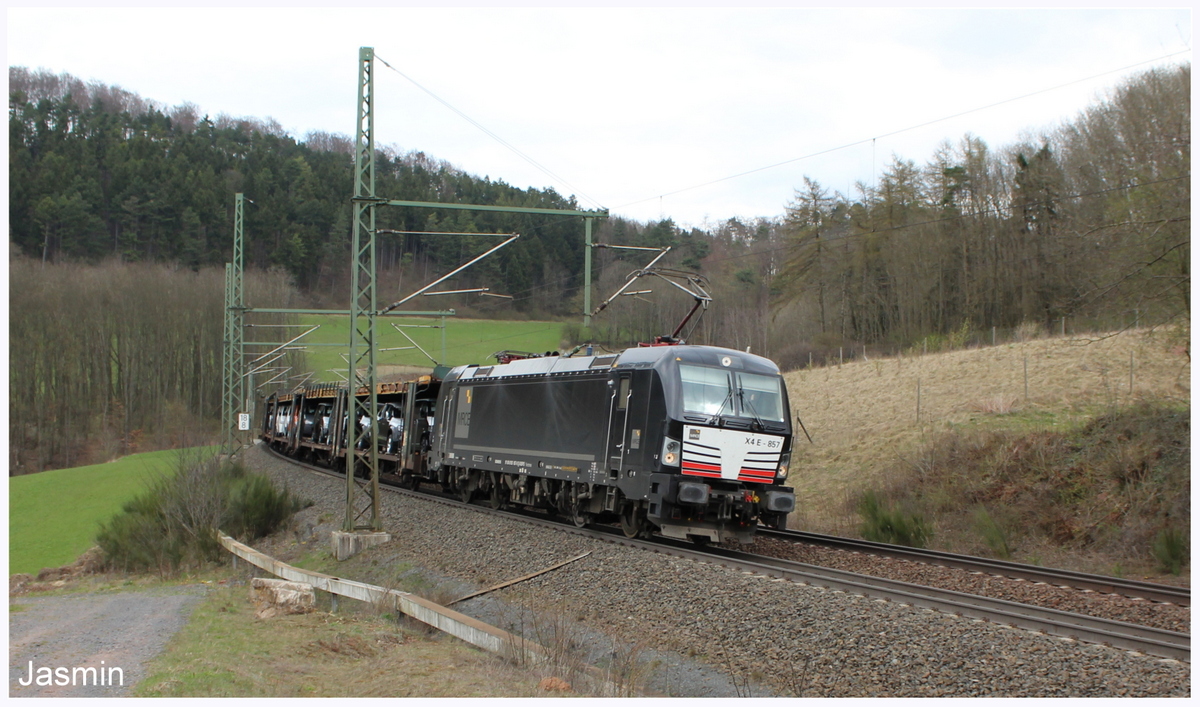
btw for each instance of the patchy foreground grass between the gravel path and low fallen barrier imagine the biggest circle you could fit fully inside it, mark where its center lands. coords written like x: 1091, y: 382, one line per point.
x: 226, y: 652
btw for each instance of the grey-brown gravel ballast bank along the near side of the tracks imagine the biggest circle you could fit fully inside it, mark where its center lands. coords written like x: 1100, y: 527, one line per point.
x: 800, y: 640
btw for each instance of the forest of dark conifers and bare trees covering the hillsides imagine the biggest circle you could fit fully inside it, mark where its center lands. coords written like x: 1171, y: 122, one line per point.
x: 1088, y: 223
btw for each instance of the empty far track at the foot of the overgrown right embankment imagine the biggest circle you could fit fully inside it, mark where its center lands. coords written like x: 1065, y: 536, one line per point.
x: 1151, y: 591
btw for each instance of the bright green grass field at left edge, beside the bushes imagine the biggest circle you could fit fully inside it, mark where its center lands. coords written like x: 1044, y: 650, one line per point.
x: 53, y: 517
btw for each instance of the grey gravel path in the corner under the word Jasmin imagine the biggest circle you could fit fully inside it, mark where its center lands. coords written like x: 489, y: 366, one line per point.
x: 123, y: 630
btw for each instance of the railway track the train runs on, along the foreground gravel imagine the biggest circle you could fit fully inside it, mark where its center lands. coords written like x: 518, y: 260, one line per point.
x: 1127, y: 637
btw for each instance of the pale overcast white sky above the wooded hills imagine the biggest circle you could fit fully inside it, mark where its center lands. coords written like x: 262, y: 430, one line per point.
x: 650, y: 113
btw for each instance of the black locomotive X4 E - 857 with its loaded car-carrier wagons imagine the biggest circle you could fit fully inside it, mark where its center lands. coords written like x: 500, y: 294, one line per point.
x: 688, y: 441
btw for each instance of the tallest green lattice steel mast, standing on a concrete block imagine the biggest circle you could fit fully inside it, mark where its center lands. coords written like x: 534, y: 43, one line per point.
x: 363, y: 499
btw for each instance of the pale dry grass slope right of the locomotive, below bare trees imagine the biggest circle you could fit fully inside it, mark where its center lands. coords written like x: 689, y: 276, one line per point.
x: 863, y: 415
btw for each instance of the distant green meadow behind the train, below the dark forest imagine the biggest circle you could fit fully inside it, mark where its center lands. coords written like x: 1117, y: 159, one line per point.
x: 467, y: 341
